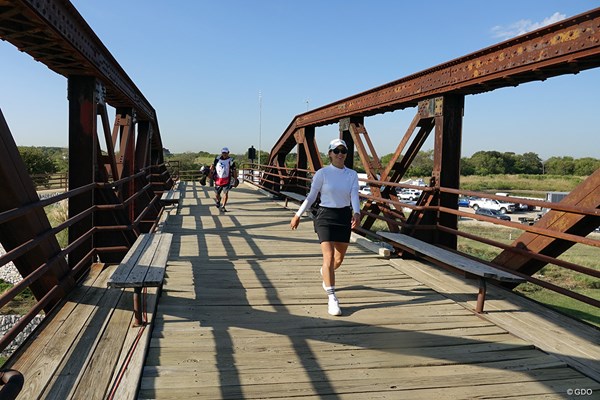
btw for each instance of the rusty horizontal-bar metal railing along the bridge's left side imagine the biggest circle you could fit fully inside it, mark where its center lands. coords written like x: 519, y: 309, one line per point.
x: 144, y: 202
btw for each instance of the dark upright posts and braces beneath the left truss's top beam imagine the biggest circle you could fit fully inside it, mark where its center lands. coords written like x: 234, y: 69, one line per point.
x: 121, y: 161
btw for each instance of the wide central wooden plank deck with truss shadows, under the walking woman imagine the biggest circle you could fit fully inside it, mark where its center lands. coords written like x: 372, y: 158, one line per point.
x: 243, y: 315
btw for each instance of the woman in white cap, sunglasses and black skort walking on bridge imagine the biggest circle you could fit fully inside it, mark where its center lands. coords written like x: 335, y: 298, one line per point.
x: 338, y: 214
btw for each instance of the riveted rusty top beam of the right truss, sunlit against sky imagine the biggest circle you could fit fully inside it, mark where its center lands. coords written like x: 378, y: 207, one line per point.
x: 567, y: 47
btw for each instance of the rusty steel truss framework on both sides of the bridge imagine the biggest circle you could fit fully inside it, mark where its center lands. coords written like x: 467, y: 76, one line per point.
x: 118, y: 173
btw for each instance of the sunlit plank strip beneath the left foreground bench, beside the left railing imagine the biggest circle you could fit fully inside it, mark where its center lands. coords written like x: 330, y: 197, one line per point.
x: 83, y: 347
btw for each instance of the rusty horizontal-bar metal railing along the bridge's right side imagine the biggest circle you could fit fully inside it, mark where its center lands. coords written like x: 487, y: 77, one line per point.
x: 397, y: 213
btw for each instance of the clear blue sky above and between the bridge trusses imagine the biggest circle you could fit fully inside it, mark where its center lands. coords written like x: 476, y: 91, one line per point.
x: 203, y: 65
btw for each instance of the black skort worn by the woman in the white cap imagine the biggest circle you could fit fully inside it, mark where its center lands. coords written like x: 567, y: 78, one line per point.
x: 333, y: 224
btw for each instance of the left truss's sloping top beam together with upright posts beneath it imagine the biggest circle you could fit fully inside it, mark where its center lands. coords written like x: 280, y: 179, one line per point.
x: 54, y: 33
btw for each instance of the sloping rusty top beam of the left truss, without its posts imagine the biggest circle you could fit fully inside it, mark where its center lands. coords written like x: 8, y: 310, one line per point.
x: 55, y: 34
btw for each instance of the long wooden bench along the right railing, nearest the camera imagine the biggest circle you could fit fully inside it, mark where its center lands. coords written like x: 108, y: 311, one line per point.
x: 457, y: 261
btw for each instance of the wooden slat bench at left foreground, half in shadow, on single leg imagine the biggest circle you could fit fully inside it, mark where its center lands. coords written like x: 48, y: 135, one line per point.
x: 143, y: 266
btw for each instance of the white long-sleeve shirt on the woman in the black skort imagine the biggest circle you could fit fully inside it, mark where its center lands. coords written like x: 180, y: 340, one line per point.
x: 338, y: 188
